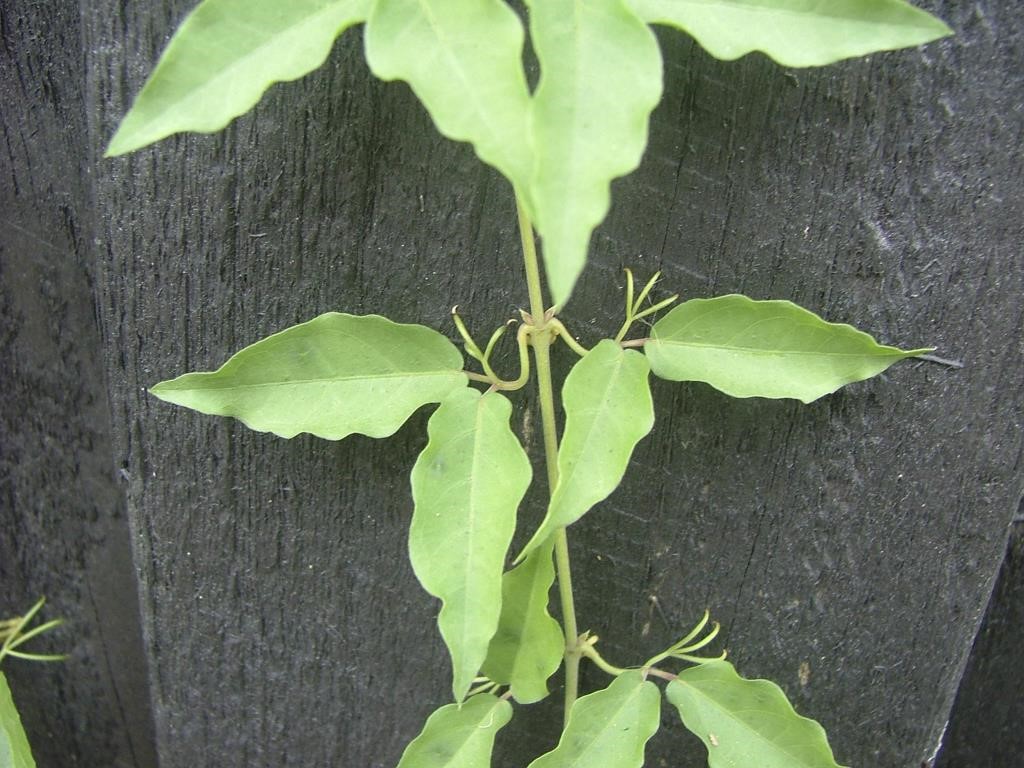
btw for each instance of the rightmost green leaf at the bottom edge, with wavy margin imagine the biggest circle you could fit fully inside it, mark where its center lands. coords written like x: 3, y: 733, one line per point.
x: 747, y: 722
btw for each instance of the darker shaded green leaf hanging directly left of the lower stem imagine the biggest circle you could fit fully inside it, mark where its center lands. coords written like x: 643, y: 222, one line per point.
x: 529, y: 646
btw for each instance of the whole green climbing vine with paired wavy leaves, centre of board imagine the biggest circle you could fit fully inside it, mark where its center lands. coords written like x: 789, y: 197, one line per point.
x: 560, y: 146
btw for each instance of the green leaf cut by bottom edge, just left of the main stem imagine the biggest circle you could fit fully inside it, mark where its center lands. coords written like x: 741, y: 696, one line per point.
x: 459, y: 736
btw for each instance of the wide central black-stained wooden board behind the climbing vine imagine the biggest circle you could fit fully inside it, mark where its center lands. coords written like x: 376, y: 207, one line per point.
x: 849, y: 547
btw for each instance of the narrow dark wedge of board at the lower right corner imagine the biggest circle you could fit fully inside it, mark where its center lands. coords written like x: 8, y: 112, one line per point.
x: 986, y: 729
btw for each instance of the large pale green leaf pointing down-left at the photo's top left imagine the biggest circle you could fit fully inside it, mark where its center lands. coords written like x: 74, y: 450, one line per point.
x: 224, y: 57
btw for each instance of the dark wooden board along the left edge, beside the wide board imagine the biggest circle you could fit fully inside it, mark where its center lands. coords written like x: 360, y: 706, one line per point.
x: 65, y: 532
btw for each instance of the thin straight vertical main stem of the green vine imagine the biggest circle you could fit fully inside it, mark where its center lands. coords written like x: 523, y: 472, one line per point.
x: 542, y: 354
